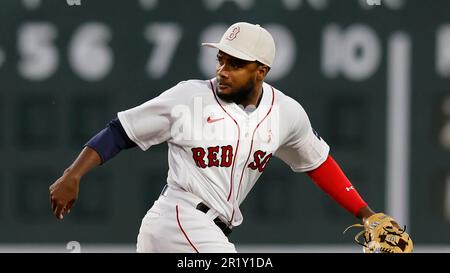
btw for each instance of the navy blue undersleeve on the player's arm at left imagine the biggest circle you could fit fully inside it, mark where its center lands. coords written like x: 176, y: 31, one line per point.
x: 110, y: 141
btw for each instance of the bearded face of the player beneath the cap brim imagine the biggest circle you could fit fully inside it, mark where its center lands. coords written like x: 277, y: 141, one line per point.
x: 237, y: 78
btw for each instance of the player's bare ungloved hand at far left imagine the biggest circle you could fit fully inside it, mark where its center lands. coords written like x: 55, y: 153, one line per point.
x: 63, y: 194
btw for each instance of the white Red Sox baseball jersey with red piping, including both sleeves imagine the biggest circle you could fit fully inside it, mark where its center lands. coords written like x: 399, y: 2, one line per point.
x: 217, y: 151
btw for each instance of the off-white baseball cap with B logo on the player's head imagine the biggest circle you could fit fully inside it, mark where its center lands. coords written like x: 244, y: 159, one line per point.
x: 247, y: 42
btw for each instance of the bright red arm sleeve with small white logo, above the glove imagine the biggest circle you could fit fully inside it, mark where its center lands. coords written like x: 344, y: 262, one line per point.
x: 332, y: 180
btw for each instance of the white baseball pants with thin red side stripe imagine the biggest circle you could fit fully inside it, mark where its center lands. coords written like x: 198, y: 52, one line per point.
x: 173, y: 224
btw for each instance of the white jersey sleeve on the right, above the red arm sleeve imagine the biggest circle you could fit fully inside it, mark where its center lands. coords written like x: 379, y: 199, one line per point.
x: 303, y: 149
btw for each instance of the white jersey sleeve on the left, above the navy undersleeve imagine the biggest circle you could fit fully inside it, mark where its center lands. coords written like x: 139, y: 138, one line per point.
x: 150, y: 123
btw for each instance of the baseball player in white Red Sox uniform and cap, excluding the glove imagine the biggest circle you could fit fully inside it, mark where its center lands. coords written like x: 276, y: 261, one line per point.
x: 221, y: 135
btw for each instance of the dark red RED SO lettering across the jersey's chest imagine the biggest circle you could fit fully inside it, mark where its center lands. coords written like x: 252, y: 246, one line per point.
x: 209, y: 157
